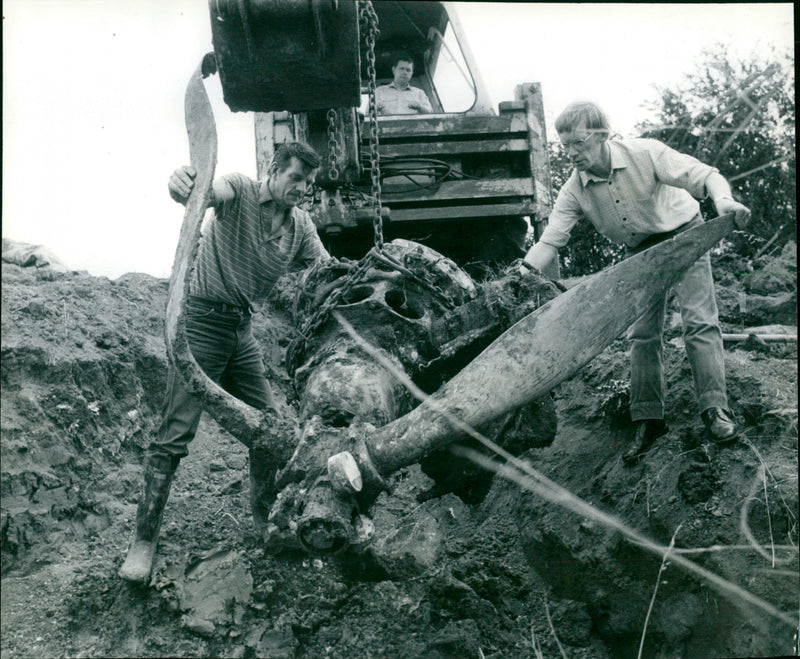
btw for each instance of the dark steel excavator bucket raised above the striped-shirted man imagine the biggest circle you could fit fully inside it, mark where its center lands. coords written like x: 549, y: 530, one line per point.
x: 295, y: 55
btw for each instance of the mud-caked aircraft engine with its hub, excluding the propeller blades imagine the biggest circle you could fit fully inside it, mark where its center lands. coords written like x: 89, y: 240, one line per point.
x: 428, y: 320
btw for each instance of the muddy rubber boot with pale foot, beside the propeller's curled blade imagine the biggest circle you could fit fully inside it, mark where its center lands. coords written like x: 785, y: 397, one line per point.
x: 138, y: 565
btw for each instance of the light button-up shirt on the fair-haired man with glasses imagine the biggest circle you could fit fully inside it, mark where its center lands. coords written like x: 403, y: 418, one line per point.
x: 652, y: 188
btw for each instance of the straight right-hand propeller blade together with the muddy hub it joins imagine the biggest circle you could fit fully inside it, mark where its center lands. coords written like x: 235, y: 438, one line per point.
x: 525, y: 362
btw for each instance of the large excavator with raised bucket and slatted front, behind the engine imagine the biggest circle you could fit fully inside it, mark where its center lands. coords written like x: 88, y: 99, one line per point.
x: 470, y: 182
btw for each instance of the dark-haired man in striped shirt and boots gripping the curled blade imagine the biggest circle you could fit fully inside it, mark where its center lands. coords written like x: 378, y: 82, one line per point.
x: 256, y: 234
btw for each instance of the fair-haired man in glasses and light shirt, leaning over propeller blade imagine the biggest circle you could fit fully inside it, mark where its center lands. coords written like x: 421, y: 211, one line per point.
x: 640, y: 192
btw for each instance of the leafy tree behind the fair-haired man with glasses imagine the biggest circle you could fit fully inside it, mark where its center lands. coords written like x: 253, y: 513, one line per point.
x: 738, y: 116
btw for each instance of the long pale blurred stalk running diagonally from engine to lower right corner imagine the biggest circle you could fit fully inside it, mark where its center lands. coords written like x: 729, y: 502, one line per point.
x: 523, y: 474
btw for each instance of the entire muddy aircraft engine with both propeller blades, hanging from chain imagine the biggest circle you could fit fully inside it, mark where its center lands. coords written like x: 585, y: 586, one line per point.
x: 429, y: 319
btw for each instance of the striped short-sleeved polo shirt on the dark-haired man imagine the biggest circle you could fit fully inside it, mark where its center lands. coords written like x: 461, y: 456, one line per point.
x: 238, y: 261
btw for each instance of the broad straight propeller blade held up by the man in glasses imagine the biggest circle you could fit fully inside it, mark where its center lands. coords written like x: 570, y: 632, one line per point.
x: 546, y: 347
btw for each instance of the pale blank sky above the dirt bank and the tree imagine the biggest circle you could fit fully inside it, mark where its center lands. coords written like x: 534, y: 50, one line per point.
x: 93, y: 100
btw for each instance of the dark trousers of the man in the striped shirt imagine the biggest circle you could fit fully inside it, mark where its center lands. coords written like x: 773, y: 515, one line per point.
x: 223, y: 345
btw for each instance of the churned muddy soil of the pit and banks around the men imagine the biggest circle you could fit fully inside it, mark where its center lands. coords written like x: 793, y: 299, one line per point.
x: 508, y: 575
